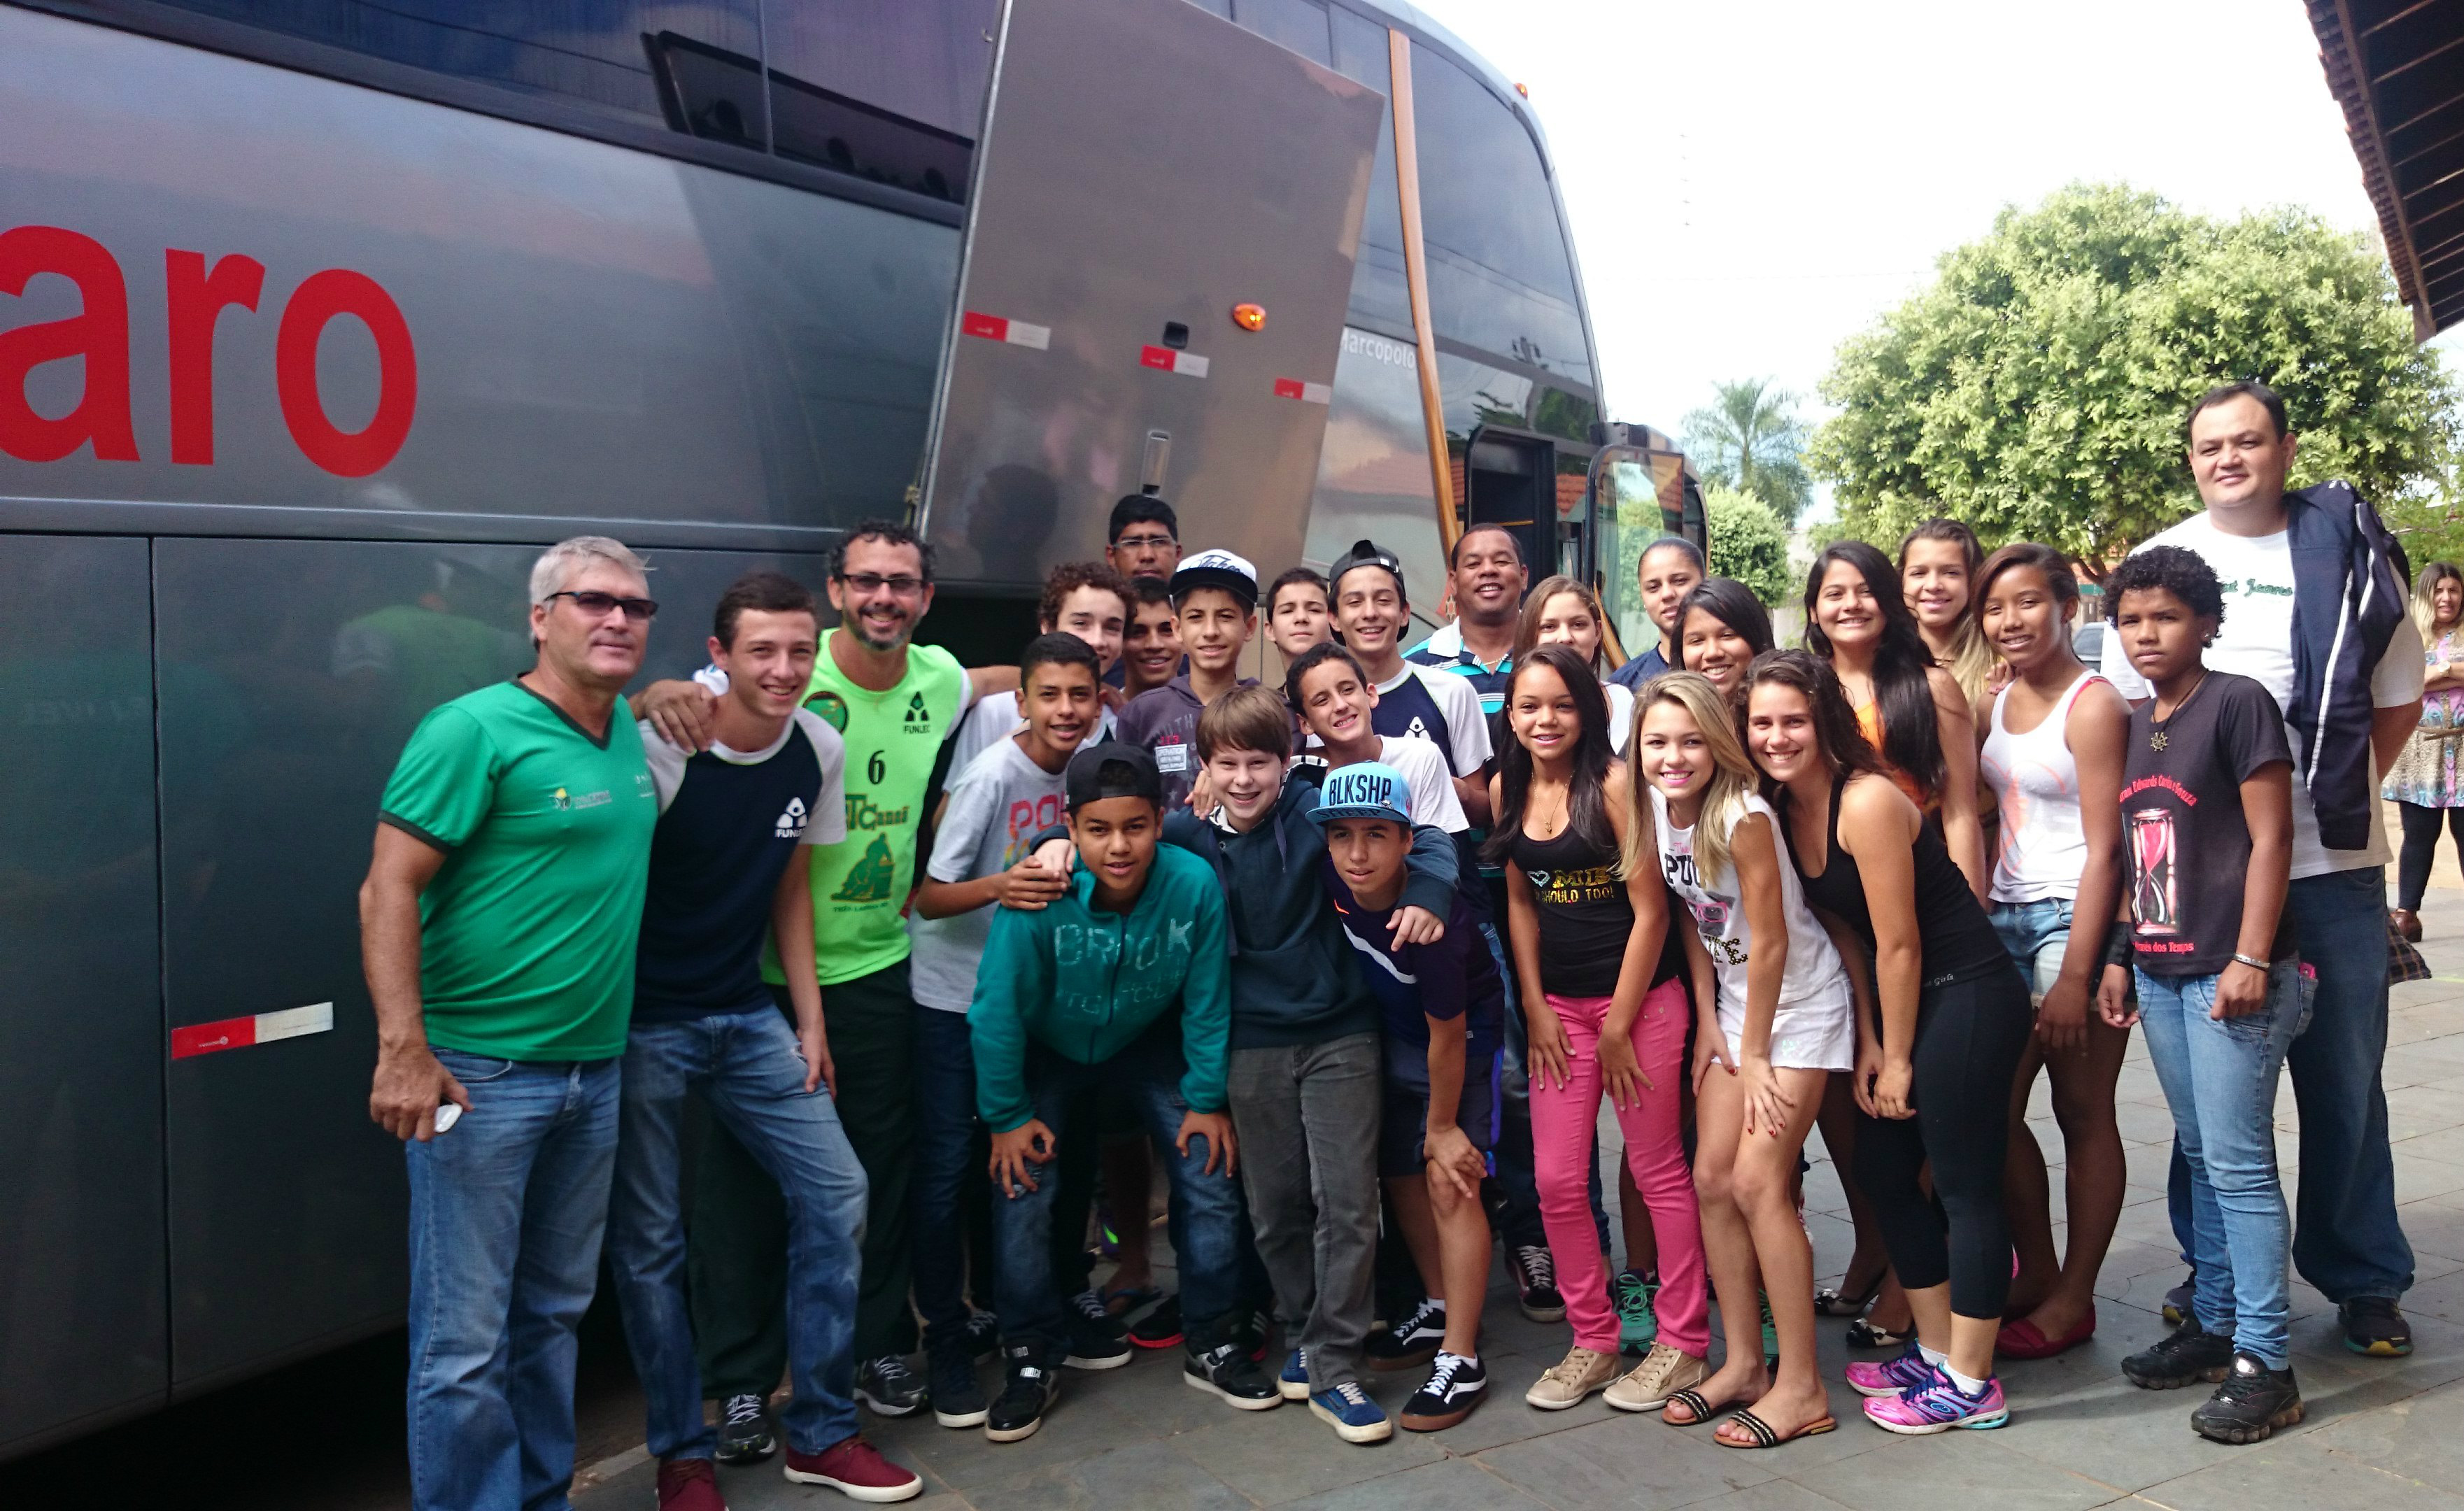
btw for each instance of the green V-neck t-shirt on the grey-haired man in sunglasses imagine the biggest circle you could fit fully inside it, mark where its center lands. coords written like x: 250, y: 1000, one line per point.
x: 526, y: 935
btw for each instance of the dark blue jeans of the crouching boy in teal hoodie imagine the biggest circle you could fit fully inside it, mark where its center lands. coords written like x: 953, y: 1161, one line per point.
x: 1206, y: 1216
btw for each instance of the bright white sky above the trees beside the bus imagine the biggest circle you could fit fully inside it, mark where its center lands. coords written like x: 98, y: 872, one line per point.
x: 1753, y: 184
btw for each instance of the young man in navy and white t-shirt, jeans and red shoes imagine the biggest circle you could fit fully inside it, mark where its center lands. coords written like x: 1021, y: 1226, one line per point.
x: 731, y: 869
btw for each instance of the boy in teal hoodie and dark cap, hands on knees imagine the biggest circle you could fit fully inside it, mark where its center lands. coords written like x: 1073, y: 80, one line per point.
x: 1125, y: 985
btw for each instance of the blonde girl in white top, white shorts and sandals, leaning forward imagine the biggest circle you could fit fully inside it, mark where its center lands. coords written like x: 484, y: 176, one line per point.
x: 1763, y: 1054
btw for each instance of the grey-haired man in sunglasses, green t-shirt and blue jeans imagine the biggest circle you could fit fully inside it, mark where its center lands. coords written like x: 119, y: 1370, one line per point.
x: 499, y: 926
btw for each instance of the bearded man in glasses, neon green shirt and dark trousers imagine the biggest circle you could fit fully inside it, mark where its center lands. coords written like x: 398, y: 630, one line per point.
x: 893, y: 704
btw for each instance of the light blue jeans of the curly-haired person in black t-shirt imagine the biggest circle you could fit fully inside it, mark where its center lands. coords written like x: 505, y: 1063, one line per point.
x: 2221, y: 1081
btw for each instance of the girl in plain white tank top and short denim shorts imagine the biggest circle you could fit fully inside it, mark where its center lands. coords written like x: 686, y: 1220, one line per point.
x: 2054, y: 758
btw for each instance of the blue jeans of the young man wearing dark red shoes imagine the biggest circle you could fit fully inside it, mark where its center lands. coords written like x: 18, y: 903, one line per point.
x: 750, y: 1071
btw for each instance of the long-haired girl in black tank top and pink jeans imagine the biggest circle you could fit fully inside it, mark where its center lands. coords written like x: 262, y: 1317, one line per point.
x: 1588, y: 940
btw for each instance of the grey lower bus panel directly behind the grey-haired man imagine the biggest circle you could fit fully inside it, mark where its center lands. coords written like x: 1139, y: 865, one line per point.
x: 292, y: 674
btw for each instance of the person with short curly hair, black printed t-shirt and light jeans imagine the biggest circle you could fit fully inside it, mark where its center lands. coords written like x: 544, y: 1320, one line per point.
x: 2207, y: 812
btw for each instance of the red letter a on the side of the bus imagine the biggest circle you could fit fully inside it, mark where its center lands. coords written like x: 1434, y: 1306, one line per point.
x: 97, y: 334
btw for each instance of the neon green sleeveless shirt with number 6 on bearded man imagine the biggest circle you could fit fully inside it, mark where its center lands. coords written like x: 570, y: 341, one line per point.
x: 893, y: 741
